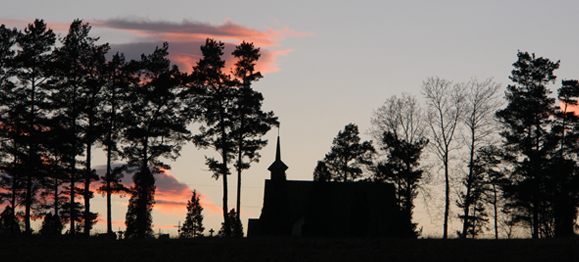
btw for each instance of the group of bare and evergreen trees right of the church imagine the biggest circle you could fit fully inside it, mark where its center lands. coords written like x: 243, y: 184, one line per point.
x: 516, y: 161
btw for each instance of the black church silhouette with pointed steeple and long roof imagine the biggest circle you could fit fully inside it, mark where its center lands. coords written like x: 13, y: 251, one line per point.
x: 326, y: 209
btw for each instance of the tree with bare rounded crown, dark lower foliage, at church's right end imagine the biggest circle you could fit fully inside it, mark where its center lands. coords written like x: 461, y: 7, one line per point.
x: 399, y: 127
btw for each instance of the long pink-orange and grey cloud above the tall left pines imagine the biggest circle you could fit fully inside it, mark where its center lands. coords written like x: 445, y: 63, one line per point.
x: 186, y: 38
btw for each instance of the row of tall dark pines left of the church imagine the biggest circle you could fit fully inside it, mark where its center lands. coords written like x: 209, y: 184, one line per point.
x: 59, y: 101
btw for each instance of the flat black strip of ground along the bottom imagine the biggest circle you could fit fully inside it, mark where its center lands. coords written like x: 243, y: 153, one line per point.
x: 287, y: 249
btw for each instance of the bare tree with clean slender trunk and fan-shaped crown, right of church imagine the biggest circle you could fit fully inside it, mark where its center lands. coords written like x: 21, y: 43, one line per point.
x: 445, y: 111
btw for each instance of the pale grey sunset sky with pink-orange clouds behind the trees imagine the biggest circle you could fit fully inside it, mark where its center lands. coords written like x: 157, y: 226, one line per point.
x: 325, y: 64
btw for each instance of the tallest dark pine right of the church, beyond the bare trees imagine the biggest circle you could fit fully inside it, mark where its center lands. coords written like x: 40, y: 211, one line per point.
x: 526, y: 122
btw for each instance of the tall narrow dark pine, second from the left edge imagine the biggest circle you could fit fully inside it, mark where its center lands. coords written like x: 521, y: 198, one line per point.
x: 33, y: 70
